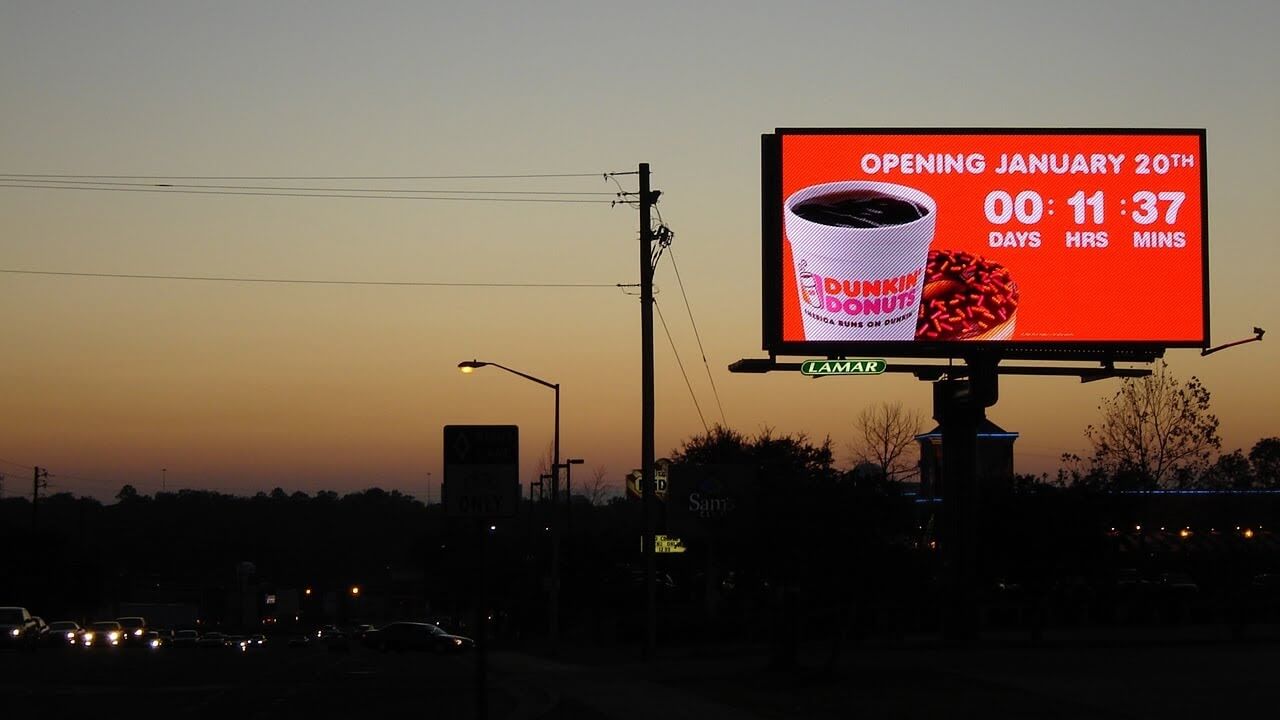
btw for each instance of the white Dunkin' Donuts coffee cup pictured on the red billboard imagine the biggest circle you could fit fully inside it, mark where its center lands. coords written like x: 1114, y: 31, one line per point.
x: 860, y: 284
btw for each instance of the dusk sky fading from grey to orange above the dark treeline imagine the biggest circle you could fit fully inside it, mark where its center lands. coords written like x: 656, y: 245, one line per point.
x: 246, y: 388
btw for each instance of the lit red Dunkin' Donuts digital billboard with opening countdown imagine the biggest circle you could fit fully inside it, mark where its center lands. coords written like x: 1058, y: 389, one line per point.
x: 915, y: 243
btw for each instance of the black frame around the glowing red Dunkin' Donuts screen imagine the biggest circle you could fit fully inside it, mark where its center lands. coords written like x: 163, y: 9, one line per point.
x: 772, y: 252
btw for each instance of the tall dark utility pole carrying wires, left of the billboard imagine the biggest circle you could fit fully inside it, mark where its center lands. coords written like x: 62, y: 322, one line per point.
x: 647, y: 482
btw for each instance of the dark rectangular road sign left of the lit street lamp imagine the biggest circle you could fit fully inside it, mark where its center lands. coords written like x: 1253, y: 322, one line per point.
x: 482, y: 471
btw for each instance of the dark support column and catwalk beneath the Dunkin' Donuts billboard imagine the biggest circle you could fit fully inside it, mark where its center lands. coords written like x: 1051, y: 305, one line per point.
x: 962, y: 395
